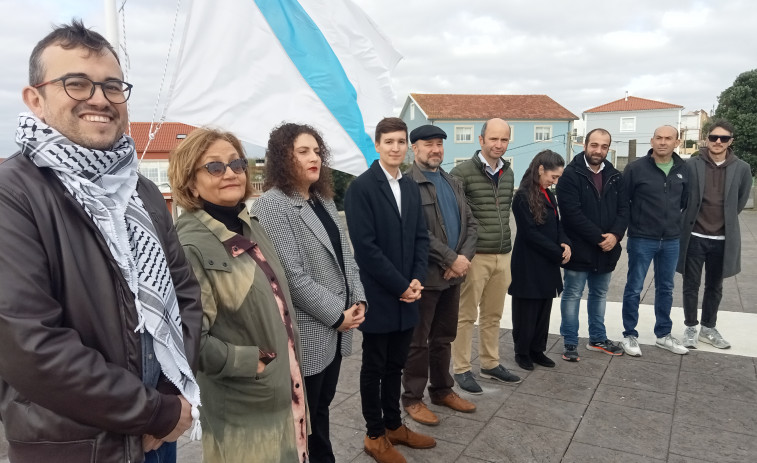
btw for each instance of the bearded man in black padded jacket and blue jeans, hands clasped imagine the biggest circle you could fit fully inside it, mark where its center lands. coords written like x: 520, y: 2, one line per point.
x: 594, y: 213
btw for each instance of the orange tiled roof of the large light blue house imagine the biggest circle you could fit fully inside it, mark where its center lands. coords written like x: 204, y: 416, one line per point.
x: 479, y: 107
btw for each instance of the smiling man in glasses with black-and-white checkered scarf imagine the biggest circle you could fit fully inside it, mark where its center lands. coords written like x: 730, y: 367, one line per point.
x: 100, y: 312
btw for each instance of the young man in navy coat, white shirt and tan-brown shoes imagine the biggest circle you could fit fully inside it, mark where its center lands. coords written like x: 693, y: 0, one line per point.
x: 389, y: 236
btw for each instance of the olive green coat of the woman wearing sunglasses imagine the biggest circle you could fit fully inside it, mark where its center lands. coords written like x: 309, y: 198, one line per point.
x: 245, y: 416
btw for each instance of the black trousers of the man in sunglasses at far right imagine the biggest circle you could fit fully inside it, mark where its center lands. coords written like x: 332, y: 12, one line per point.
x: 705, y: 253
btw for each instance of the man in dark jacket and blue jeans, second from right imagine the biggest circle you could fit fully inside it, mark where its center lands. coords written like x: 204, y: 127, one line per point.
x: 657, y: 191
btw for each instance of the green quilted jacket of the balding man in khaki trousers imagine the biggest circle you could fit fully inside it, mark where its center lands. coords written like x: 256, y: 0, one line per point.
x: 489, y: 202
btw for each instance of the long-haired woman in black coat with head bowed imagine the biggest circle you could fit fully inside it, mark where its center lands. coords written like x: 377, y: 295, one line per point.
x: 541, y: 246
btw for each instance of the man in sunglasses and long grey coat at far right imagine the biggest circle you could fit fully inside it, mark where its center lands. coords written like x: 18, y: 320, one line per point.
x: 719, y: 185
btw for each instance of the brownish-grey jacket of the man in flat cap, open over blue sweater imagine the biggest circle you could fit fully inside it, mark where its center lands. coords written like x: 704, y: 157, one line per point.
x: 440, y: 255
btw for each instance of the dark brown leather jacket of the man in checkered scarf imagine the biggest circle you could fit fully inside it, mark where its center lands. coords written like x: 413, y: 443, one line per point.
x: 70, y: 360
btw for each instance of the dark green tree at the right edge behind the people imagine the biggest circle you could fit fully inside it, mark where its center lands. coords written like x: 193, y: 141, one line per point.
x: 738, y: 105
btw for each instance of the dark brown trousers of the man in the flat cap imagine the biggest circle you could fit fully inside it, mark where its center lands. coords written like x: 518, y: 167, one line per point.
x: 430, y: 348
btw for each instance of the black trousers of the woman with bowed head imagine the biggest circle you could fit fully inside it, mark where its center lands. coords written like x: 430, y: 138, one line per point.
x: 530, y: 324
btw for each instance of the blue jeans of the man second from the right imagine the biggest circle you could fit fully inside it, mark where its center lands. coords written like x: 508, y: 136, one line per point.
x: 641, y: 253
